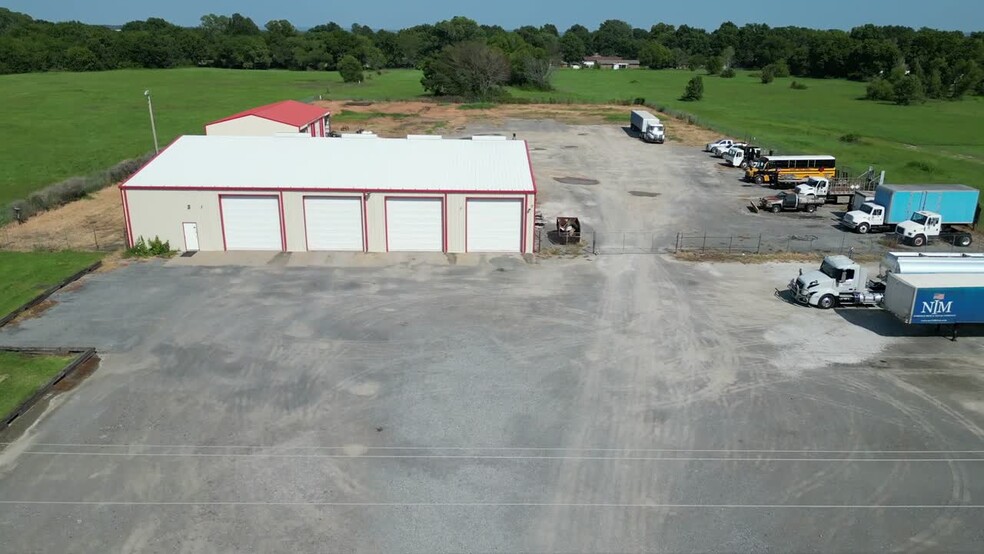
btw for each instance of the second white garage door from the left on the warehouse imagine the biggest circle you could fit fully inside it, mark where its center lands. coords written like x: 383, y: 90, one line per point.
x: 333, y: 223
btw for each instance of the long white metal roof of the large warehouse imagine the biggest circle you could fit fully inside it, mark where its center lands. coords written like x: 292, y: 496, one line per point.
x: 244, y: 163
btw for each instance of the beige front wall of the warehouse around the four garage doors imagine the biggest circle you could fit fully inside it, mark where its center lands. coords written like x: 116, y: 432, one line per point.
x: 162, y: 212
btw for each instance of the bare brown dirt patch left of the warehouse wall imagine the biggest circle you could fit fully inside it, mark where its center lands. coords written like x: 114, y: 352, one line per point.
x: 94, y: 223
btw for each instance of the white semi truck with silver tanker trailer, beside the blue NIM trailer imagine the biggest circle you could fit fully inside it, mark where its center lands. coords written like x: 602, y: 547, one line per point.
x: 840, y: 281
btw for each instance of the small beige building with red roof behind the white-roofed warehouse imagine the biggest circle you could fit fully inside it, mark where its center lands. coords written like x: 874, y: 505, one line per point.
x: 288, y: 116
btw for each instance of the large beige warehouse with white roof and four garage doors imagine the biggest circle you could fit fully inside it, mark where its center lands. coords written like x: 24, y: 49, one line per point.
x: 369, y: 195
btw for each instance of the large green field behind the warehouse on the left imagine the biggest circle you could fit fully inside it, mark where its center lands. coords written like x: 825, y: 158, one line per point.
x: 57, y: 125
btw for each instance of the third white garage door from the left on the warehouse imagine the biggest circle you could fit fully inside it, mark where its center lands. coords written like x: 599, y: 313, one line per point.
x: 414, y: 224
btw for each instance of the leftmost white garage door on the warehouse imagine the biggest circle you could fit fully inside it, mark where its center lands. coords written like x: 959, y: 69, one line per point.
x: 251, y: 222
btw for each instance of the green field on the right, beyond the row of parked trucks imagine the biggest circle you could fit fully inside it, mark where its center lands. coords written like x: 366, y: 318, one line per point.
x: 933, y: 142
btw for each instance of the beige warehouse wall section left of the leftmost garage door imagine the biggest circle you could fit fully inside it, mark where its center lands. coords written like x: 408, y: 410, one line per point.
x: 161, y: 213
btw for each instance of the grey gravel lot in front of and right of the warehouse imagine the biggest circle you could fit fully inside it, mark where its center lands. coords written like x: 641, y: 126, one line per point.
x: 608, y: 403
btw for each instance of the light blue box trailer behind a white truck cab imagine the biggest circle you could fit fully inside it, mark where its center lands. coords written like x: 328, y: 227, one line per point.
x: 956, y: 203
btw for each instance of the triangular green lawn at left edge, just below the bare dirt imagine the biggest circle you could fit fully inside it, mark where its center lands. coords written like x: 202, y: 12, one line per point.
x: 24, y: 275
